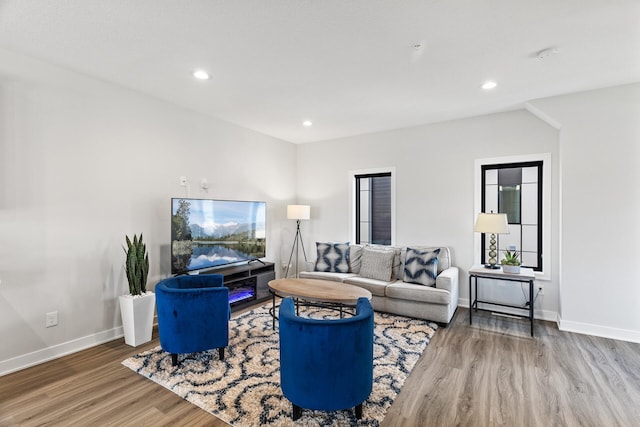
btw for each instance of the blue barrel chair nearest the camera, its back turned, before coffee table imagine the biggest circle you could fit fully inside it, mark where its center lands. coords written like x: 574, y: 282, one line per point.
x: 326, y: 364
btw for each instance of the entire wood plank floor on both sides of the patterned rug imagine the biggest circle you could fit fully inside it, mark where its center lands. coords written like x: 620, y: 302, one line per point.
x: 490, y: 373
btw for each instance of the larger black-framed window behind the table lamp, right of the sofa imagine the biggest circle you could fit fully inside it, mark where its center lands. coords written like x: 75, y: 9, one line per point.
x: 515, y: 189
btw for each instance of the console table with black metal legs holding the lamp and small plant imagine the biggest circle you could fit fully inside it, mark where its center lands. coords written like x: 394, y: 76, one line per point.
x: 526, y: 275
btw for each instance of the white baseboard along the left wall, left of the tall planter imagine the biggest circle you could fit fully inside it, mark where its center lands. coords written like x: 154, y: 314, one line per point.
x: 46, y: 354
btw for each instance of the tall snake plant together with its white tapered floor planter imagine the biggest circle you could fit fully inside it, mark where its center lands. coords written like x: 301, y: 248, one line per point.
x: 137, y: 307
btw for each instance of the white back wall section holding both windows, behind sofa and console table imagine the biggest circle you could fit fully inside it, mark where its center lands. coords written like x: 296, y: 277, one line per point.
x: 434, y: 182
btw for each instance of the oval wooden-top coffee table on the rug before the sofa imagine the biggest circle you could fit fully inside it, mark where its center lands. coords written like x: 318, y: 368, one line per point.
x: 324, y: 293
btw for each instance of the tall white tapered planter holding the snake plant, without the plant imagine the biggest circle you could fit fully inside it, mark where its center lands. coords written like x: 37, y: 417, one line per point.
x: 137, y: 317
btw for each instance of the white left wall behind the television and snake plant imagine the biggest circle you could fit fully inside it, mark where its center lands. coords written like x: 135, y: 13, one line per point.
x: 82, y: 163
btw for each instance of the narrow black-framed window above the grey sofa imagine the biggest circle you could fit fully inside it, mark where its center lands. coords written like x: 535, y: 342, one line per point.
x: 373, y: 208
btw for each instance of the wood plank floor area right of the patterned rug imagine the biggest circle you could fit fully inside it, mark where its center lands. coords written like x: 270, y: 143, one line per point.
x: 493, y: 373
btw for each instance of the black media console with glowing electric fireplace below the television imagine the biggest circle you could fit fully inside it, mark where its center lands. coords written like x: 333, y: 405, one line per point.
x: 247, y: 283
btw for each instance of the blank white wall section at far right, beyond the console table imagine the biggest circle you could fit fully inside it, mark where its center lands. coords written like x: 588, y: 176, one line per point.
x: 600, y: 218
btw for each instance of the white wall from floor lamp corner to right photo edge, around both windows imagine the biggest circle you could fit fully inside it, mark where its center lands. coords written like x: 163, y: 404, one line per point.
x: 595, y: 284
